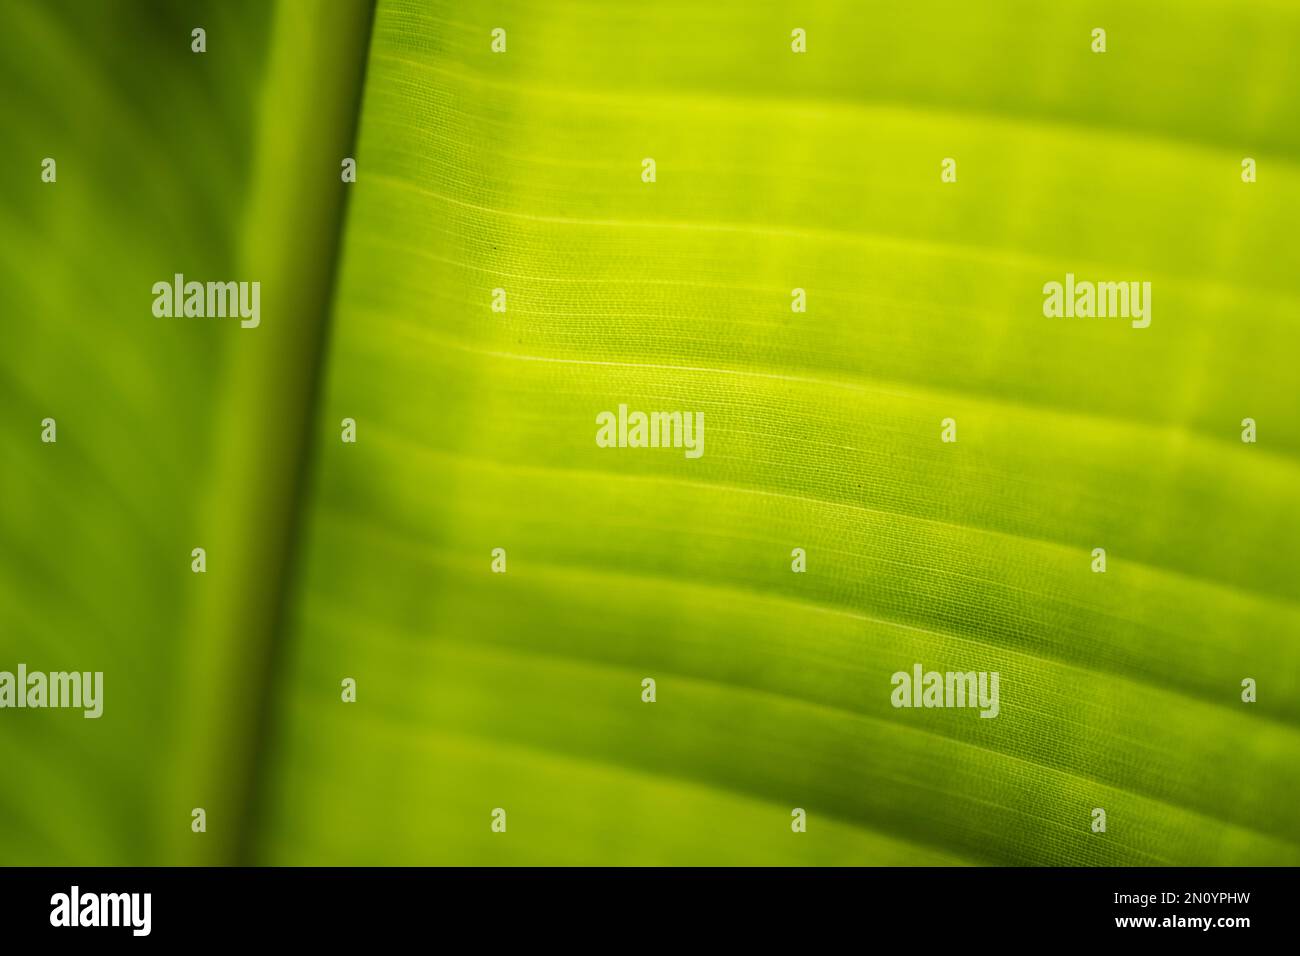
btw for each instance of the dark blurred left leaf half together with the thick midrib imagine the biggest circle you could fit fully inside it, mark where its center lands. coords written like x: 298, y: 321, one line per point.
x: 172, y: 434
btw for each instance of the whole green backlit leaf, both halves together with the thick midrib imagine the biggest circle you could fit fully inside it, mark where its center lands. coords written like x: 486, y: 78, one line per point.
x: 522, y: 171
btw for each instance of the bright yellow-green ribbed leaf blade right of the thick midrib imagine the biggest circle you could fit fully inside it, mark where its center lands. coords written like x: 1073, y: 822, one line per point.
x: 522, y: 691
